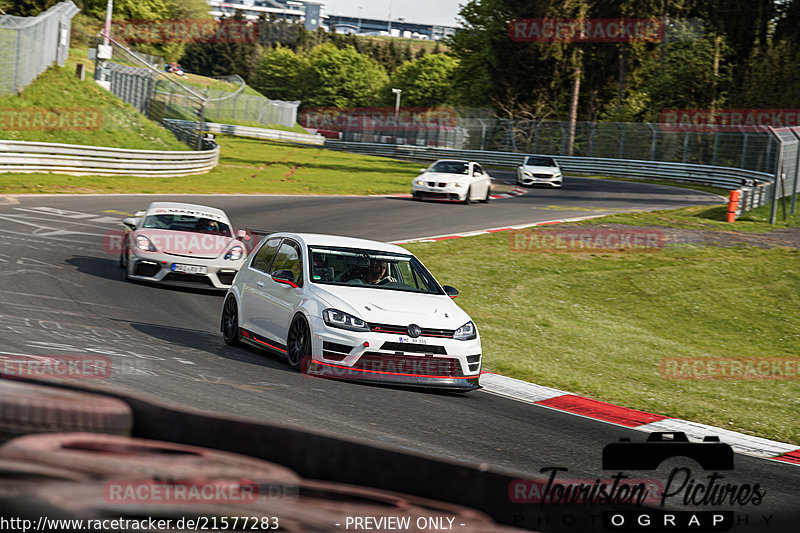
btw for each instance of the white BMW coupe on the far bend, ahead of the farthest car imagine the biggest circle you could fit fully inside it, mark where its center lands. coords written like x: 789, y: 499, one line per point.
x: 452, y: 181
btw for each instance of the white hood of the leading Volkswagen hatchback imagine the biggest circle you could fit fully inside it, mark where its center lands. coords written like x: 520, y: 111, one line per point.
x: 384, y: 306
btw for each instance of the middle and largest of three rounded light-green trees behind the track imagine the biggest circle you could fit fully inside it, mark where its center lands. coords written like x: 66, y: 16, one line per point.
x: 343, y: 78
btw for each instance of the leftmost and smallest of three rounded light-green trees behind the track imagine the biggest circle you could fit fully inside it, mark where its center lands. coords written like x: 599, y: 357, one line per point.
x: 281, y: 74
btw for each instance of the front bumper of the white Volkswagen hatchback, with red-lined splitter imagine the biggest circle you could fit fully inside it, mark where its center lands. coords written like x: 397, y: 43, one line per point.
x: 390, y: 358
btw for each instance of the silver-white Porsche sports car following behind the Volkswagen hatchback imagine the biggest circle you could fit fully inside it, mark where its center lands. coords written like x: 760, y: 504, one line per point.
x: 183, y: 244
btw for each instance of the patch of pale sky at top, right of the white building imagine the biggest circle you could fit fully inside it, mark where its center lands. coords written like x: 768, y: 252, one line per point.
x: 423, y: 11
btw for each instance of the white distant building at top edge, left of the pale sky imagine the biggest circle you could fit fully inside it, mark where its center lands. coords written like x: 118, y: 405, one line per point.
x: 308, y: 12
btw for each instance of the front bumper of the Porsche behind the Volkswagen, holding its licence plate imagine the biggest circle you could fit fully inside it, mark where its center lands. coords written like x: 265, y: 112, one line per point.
x: 159, y: 267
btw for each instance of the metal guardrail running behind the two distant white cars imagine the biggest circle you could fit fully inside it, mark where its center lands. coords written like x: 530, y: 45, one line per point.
x: 756, y: 187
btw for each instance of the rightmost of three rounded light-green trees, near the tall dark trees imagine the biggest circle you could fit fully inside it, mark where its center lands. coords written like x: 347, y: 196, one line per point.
x: 426, y: 82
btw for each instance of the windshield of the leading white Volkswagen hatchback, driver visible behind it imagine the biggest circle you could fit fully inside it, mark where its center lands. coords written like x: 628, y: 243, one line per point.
x: 356, y: 267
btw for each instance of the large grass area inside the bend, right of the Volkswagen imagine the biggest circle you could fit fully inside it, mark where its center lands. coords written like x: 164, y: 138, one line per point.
x: 599, y: 324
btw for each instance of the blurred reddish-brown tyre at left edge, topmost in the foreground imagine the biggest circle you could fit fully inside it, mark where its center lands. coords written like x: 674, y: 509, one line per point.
x: 27, y: 408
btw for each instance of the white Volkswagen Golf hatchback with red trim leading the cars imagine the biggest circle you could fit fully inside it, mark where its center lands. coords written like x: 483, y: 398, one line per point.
x: 354, y: 309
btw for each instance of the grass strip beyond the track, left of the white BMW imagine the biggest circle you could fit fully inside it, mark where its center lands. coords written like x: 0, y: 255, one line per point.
x: 246, y: 166
